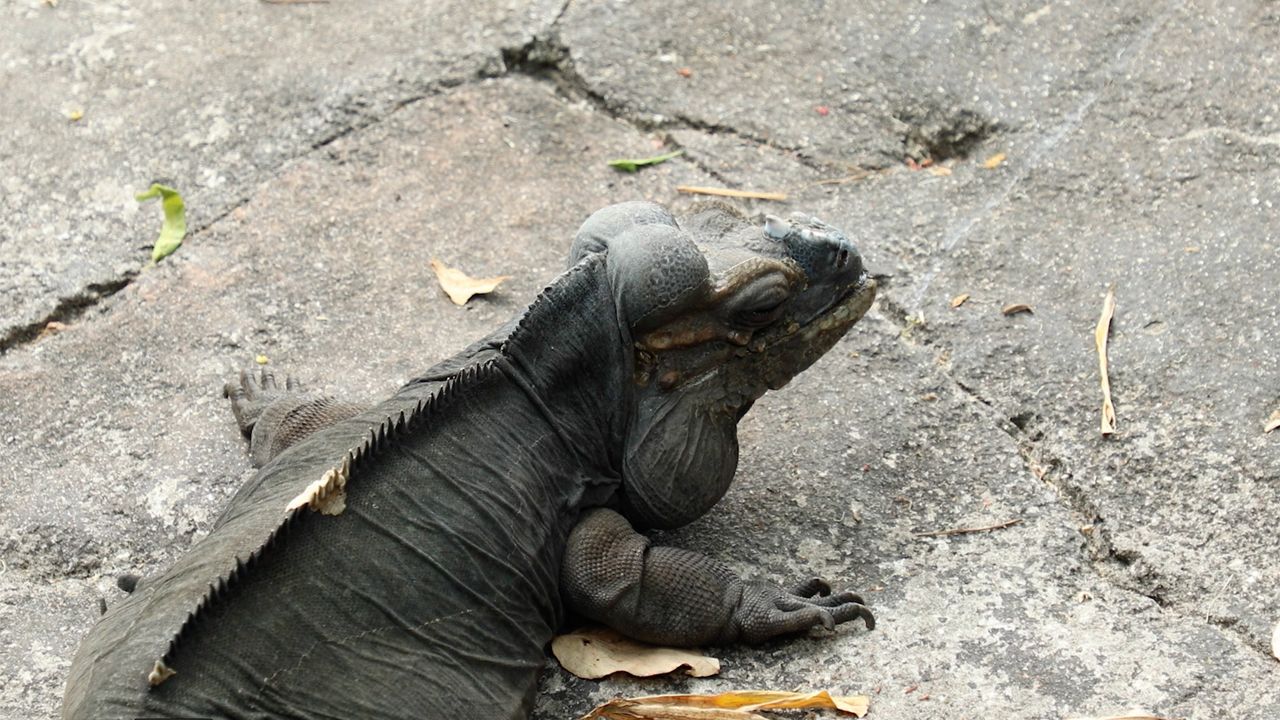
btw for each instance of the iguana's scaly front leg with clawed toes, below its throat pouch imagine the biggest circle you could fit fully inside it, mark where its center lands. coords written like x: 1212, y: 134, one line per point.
x: 676, y: 598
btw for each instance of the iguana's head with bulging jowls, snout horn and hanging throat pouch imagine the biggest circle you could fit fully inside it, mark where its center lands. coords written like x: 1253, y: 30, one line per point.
x: 720, y: 311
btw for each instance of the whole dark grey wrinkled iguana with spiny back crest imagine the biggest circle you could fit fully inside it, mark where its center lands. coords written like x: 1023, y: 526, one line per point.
x: 414, y: 559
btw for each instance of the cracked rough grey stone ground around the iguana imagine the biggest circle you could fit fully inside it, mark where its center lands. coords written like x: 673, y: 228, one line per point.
x: 328, y: 151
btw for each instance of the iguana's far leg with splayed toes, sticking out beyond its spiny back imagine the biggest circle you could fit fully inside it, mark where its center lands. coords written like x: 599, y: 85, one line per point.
x: 276, y: 418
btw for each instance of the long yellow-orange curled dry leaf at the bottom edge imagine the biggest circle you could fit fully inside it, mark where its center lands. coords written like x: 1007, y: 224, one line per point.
x: 725, y: 707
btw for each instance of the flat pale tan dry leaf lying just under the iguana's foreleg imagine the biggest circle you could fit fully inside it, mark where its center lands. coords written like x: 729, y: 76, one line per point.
x: 596, y: 653
